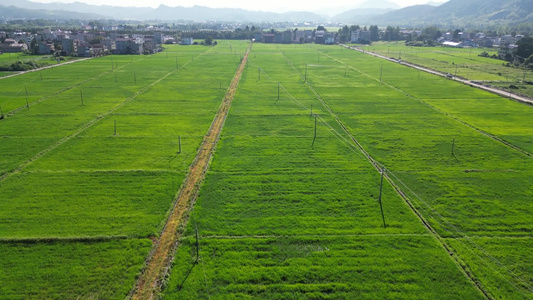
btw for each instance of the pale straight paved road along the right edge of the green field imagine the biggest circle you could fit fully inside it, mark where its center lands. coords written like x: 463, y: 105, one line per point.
x: 467, y: 82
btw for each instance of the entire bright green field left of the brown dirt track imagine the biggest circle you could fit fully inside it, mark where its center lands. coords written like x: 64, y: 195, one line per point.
x: 91, y: 163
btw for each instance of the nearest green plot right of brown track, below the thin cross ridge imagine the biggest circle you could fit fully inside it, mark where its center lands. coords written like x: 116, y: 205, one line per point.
x: 341, y: 267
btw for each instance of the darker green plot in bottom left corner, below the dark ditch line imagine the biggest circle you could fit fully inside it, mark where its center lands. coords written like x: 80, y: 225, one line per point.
x: 70, y: 270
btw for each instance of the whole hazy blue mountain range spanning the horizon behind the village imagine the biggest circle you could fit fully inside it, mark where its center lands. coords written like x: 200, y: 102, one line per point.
x: 454, y: 13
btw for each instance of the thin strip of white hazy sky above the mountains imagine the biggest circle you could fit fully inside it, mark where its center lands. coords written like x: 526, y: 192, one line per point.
x: 271, y: 5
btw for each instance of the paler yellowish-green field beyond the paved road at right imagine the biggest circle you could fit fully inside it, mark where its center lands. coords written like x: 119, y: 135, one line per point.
x: 463, y: 62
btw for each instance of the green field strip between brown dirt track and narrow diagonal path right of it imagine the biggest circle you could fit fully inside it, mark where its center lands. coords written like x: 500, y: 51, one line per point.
x: 278, y: 218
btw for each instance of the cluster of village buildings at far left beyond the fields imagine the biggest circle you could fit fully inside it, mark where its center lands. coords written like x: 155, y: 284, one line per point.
x: 81, y: 43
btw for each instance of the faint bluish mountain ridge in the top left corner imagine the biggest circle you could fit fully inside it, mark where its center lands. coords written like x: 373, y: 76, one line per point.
x: 10, y: 12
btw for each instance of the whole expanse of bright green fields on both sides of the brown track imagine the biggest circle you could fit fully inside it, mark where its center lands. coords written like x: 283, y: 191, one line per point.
x: 290, y: 205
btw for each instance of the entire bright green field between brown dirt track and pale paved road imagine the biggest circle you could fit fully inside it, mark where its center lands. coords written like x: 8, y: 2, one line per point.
x: 281, y: 217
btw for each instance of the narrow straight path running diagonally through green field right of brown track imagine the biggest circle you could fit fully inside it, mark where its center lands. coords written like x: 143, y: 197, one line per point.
x: 380, y: 168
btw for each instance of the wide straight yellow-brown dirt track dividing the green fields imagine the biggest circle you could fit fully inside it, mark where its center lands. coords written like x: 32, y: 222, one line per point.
x: 160, y: 259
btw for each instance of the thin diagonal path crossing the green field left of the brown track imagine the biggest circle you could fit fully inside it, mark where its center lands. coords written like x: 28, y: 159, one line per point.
x: 83, y: 128
